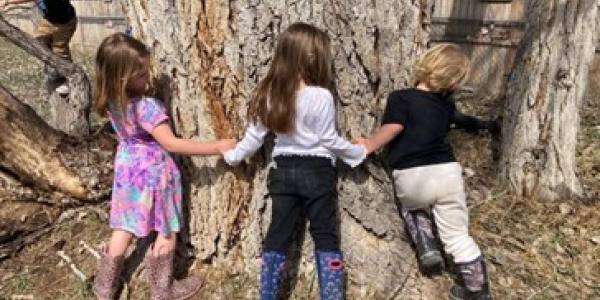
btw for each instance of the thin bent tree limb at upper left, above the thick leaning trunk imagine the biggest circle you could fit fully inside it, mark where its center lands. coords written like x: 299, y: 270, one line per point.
x: 69, y: 114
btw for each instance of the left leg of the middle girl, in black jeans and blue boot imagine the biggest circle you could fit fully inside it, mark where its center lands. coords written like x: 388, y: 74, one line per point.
x: 285, y: 211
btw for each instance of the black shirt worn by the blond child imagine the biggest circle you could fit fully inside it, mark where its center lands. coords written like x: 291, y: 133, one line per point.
x: 426, y: 118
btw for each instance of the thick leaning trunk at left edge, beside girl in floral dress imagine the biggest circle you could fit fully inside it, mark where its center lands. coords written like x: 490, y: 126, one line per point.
x: 47, y: 159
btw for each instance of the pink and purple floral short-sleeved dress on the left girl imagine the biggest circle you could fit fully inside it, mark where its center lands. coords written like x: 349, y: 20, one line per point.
x: 147, y: 190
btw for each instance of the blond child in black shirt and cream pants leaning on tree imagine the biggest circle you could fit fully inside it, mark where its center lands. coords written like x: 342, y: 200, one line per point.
x: 426, y: 175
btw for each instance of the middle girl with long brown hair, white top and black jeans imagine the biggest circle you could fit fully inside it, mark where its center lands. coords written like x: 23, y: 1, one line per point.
x: 294, y: 101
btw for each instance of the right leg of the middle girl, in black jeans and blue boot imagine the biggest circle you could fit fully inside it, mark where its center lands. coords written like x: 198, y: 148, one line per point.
x: 320, y: 206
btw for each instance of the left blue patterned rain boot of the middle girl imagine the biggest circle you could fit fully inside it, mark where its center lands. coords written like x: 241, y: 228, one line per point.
x: 273, y: 266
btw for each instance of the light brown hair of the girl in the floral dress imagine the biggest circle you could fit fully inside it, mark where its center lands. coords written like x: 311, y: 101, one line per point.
x: 118, y: 60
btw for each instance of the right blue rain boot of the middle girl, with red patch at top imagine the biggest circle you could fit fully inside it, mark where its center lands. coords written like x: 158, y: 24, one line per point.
x: 330, y: 266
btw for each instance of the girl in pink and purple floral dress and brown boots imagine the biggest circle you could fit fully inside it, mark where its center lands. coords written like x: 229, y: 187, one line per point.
x: 147, y: 191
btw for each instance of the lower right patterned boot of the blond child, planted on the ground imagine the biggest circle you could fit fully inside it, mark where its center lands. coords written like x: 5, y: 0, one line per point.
x: 472, y: 283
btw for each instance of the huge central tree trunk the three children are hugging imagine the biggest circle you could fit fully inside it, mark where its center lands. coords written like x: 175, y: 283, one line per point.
x: 213, y: 53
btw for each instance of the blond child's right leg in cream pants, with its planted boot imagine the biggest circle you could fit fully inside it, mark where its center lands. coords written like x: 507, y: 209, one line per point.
x: 452, y: 218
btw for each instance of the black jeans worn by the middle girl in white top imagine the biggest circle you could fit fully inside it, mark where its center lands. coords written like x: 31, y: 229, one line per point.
x: 303, y: 186
